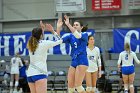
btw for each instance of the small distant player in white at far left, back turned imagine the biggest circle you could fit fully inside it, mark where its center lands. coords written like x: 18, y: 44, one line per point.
x: 15, y: 64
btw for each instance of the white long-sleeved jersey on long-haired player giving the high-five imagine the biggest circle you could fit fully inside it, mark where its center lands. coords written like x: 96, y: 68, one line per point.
x: 38, y: 63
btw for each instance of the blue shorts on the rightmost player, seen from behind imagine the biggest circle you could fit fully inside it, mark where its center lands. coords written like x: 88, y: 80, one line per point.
x: 127, y: 70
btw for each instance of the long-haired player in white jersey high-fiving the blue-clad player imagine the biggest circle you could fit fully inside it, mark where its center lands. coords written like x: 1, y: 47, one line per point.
x: 37, y: 71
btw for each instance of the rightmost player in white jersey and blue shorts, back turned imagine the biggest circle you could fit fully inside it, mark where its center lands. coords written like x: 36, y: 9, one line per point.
x: 127, y: 58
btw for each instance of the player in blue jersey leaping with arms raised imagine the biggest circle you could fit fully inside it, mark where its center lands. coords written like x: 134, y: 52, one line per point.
x: 79, y: 65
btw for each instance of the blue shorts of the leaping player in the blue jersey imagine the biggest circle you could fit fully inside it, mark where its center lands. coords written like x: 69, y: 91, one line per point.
x: 79, y: 60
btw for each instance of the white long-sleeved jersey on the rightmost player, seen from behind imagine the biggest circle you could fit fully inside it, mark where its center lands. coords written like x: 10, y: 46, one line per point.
x: 127, y: 59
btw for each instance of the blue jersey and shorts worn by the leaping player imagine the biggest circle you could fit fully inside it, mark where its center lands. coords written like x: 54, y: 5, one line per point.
x: 78, y: 48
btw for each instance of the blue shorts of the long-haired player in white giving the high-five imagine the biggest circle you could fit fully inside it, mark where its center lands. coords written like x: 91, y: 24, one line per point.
x: 34, y: 78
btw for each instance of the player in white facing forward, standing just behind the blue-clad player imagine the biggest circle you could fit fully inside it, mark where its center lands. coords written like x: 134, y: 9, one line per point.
x: 94, y: 69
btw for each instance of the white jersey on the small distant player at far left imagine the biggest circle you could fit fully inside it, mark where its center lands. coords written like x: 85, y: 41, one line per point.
x: 15, y: 63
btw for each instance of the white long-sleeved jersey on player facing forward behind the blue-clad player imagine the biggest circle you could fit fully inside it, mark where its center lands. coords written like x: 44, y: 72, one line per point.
x: 94, y: 59
